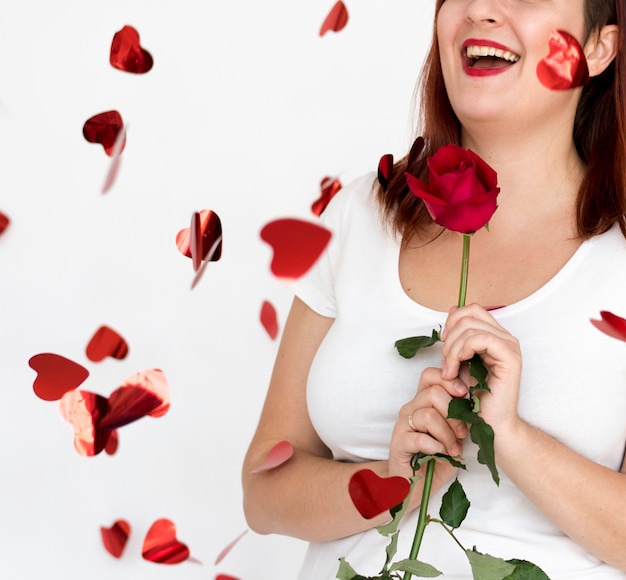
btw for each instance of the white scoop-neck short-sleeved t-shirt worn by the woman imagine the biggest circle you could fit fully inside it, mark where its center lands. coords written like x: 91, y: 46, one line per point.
x: 573, y: 388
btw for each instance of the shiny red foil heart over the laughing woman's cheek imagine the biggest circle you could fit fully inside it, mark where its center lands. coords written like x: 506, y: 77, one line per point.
x: 566, y: 66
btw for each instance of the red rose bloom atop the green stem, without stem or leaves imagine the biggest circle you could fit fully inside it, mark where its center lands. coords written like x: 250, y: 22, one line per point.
x: 461, y: 191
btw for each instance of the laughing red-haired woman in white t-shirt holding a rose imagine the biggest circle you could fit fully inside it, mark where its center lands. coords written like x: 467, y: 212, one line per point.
x: 554, y: 256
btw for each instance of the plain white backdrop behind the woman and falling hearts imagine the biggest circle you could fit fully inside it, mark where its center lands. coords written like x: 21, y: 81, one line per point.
x: 246, y: 109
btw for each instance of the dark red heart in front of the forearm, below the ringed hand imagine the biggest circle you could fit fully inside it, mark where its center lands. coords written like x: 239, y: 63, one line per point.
x: 372, y: 495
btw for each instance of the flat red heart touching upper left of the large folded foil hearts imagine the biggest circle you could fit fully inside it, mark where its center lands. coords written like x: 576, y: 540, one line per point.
x: 56, y: 375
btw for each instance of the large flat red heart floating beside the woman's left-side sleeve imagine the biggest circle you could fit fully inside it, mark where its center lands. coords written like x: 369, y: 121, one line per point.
x: 297, y: 245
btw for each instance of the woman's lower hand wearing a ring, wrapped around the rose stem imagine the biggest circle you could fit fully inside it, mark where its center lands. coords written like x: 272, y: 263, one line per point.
x: 422, y: 425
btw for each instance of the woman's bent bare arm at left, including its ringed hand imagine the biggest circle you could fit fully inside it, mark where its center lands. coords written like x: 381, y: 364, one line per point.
x: 307, y: 497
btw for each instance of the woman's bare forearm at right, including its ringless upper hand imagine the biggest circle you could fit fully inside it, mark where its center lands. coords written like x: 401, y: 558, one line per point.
x: 584, y: 499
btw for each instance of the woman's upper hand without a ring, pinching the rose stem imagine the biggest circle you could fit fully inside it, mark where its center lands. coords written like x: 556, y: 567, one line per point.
x: 472, y: 330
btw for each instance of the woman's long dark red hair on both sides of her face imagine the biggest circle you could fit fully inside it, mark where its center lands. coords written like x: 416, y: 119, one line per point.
x: 599, y: 135
